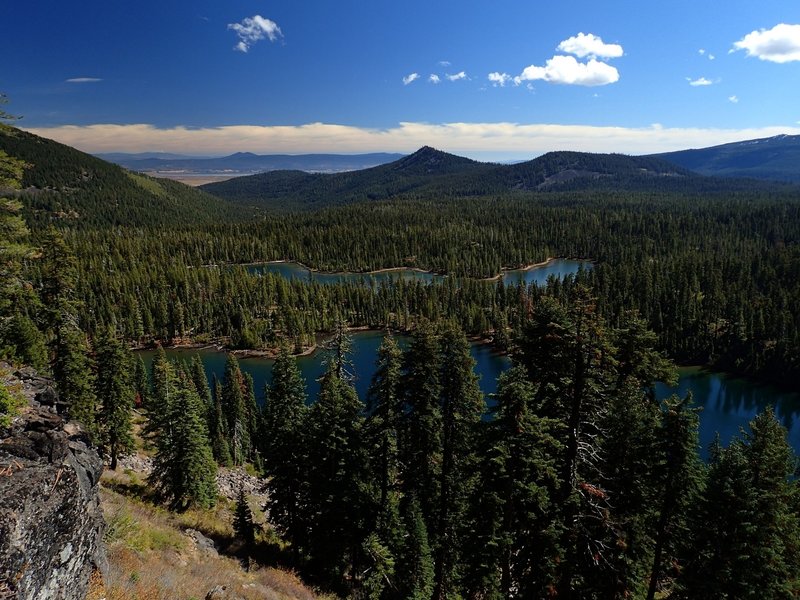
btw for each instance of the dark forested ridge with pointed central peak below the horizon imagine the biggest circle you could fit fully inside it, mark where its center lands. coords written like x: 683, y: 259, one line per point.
x: 432, y: 173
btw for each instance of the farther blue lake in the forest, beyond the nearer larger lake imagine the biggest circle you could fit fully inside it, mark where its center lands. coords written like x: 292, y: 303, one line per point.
x: 559, y: 268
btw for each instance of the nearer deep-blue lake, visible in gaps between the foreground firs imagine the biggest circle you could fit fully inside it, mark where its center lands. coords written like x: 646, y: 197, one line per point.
x: 728, y: 403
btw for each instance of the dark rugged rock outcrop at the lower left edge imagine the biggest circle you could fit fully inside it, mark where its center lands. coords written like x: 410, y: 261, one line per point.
x: 51, y: 524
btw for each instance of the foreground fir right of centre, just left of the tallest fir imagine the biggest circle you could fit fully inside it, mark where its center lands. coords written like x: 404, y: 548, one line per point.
x: 513, y: 552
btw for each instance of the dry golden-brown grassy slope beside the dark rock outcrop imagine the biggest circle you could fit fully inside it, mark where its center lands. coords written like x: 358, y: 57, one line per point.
x: 151, y: 558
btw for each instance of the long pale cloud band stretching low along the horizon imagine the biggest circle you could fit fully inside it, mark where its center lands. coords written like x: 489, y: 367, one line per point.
x: 490, y: 141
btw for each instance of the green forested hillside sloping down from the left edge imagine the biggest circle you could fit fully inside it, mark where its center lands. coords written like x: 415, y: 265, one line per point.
x: 66, y: 185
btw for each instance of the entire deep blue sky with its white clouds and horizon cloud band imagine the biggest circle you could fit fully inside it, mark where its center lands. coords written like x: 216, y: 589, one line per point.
x: 493, y: 80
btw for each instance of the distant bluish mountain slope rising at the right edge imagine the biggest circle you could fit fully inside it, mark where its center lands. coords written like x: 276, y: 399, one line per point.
x: 775, y: 158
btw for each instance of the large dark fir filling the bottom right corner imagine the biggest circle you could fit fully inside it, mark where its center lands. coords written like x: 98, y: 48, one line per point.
x: 747, y: 526
